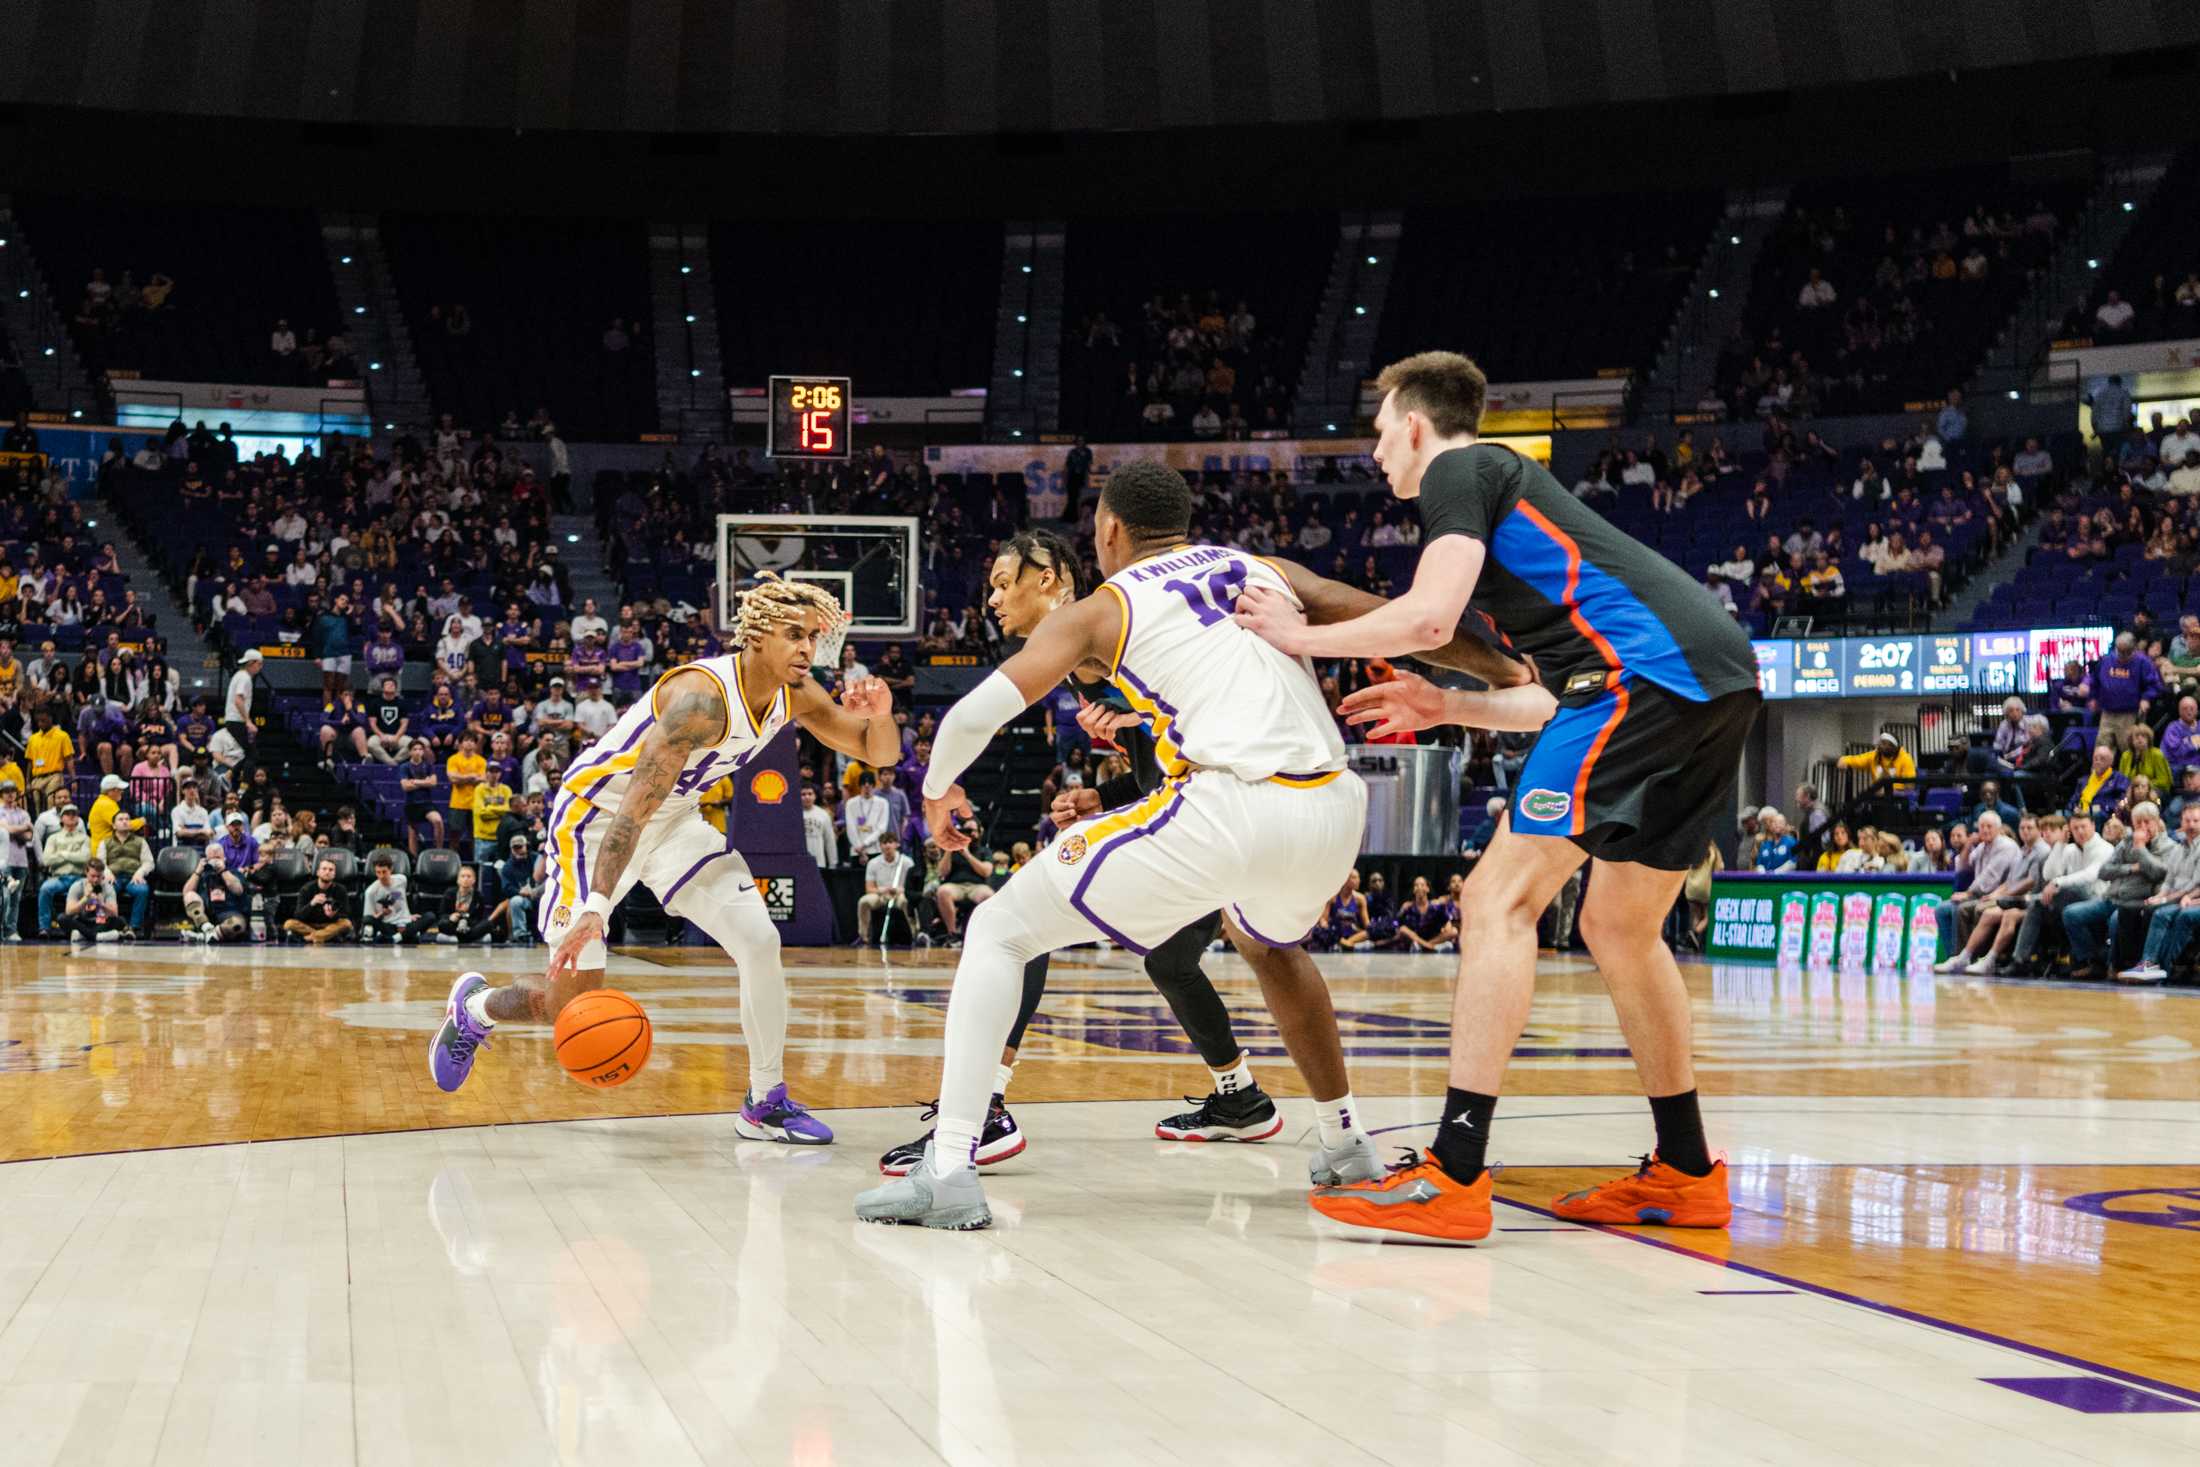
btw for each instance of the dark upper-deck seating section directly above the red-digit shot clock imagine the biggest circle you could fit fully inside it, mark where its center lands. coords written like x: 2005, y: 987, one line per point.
x: 910, y: 311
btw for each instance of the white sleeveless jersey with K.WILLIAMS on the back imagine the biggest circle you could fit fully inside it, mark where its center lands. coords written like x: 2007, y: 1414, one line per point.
x: 1218, y: 696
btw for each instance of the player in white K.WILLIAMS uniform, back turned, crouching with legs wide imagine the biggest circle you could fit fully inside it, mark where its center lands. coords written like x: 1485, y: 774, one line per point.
x: 1257, y: 817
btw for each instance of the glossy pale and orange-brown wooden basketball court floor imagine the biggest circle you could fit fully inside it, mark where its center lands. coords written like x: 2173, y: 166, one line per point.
x: 243, y: 1224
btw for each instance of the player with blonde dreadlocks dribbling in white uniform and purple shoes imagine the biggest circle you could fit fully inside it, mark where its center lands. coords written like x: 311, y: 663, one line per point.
x: 630, y: 813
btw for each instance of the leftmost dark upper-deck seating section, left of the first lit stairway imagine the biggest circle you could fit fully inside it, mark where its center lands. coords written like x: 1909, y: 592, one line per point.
x: 236, y: 274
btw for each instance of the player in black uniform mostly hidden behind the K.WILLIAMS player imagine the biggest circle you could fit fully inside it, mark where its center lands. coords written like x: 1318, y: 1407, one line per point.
x: 1035, y: 575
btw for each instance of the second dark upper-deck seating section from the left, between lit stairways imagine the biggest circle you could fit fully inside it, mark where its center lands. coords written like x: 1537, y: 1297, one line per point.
x: 538, y: 298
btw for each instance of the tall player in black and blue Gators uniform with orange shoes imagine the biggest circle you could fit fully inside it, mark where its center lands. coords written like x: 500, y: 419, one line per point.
x: 1644, y: 701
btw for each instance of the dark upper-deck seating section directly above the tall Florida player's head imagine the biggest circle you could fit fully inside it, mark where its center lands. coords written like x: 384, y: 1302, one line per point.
x: 1545, y: 289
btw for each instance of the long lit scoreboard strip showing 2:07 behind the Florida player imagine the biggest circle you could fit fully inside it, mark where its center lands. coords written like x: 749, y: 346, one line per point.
x: 1937, y: 663
